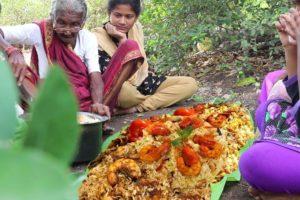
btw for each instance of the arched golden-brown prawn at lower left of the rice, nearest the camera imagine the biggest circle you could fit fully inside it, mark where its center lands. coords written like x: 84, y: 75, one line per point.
x: 129, y: 166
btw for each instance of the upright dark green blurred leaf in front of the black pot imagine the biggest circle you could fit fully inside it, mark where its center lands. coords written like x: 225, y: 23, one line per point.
x: 53, y: 127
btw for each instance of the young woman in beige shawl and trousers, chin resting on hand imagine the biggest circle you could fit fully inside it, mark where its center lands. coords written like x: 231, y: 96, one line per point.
x: 144, y: 90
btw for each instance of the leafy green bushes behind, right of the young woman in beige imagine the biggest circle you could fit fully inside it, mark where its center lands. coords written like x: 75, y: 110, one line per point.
x: 174, y: 27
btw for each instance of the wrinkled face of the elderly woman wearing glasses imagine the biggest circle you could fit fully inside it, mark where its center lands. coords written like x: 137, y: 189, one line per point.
x: 67, y: 26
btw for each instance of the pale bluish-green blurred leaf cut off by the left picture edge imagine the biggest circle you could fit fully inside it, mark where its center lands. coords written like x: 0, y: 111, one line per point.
x: 8, y: 100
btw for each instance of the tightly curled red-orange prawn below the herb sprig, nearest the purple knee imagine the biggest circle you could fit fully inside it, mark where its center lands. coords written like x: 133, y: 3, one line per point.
x: 189, y: 162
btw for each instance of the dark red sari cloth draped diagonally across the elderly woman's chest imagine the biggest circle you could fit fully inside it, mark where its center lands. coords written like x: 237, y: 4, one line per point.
x: 58, y: 52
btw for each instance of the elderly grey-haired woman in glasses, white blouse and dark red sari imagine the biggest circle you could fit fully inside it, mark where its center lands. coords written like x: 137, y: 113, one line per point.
x: 62, y: 40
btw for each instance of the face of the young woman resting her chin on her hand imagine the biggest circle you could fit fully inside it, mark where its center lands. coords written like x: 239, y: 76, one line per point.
x: 122, y: 17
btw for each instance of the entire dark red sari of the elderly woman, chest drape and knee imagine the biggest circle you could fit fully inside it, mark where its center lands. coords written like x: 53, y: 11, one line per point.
x: 58, y: 52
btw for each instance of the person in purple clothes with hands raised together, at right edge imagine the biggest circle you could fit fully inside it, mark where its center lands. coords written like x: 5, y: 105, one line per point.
x: 271, y: 165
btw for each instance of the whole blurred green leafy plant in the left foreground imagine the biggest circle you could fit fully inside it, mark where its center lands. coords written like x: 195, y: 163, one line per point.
x: 34, y: 163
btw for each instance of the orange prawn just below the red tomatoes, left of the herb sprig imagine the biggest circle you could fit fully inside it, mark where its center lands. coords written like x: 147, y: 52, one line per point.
x: 151, y: 153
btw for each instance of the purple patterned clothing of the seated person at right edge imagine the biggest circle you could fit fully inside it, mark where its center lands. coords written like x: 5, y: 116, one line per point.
x: 272, y: 163
